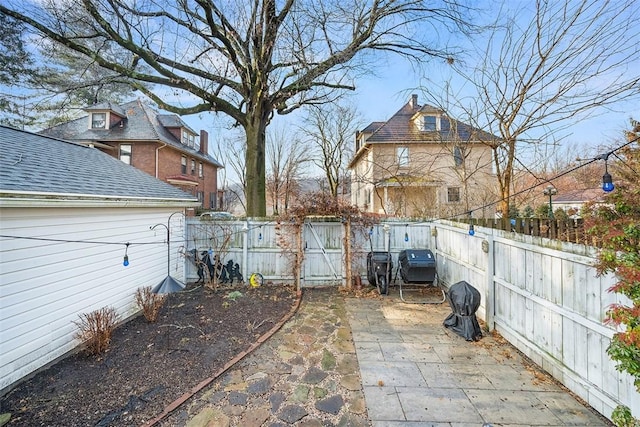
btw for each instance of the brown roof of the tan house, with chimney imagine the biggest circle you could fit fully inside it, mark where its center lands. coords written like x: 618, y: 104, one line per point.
x: 402, y: 128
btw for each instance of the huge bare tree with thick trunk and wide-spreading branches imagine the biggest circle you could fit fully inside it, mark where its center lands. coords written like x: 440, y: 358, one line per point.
x: 247, y: 60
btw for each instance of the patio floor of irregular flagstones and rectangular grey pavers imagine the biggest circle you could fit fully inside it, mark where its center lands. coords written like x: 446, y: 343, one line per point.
x: 346, y: 361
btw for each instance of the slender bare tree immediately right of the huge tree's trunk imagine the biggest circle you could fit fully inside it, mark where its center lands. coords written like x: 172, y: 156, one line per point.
x: 286, y: 155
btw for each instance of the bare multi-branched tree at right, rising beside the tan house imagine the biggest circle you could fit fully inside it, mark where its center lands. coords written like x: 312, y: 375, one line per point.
x: 544, y: 69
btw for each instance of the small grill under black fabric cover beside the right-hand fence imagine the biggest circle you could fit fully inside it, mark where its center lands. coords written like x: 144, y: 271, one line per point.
x: 464, y: 300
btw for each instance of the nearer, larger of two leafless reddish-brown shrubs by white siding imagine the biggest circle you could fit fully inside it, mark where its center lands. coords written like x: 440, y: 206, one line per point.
x: 96, y: 329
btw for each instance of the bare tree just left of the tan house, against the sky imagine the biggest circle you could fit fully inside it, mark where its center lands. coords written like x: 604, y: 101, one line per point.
x: 330, y: 128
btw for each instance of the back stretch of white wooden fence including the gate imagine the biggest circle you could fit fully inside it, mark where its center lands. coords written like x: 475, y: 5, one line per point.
x: 269, y: 248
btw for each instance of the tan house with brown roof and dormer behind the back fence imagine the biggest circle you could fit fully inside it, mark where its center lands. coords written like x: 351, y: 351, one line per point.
x: 421, y: 163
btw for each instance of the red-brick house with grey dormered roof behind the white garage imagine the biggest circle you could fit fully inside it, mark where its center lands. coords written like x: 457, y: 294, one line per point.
x: 161, y: 145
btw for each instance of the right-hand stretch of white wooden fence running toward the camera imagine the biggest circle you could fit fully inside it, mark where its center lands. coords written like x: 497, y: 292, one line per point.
x: 546, y: 298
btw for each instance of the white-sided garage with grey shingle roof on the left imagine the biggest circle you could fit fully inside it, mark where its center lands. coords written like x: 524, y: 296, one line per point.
x: 68, y: 215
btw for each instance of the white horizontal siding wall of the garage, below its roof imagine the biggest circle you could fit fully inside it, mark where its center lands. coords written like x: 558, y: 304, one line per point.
x: 44, y: 286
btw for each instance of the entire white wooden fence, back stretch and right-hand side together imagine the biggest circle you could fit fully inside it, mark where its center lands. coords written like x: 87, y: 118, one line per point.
x: 542, y: 295
